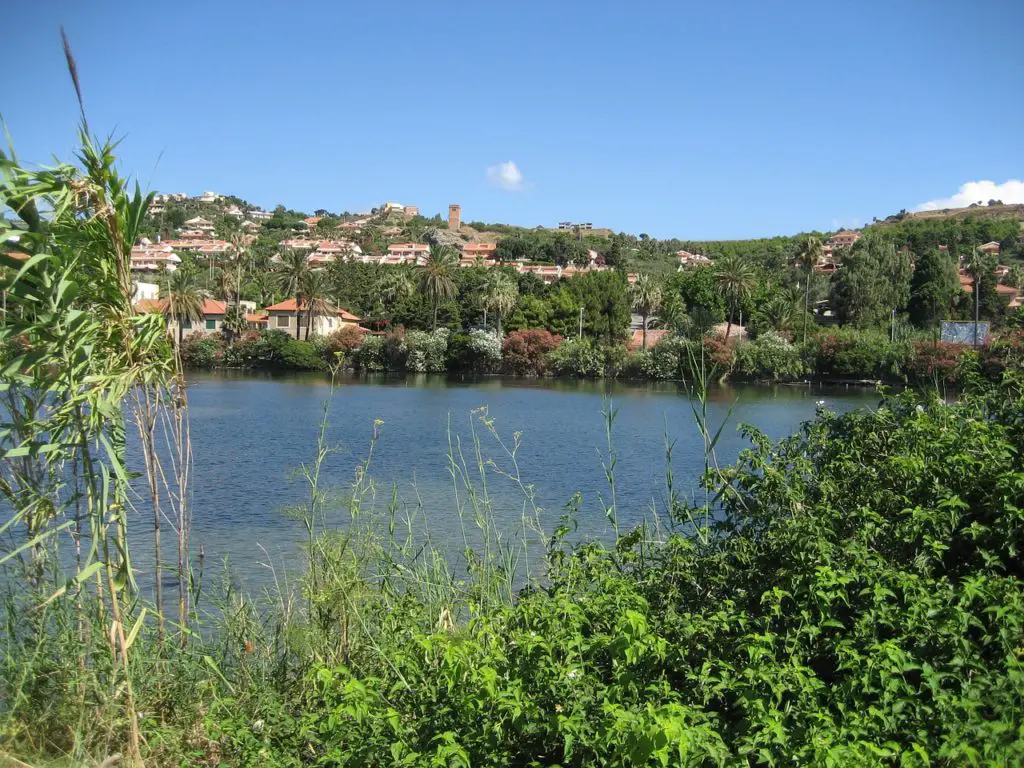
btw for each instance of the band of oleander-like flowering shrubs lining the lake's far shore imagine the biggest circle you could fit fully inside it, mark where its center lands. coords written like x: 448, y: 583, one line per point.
x: 833, y: 356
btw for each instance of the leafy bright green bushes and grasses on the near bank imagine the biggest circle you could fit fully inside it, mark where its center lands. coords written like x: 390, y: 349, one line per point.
x: 857, y: 599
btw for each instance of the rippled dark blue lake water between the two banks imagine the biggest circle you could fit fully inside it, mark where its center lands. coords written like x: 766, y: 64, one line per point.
x: 251, y: 433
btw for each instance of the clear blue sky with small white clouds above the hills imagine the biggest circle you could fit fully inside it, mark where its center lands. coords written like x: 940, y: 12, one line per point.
x: 677, y: 119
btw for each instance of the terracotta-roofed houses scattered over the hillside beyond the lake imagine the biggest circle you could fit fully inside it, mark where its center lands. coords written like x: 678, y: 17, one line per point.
x: 346, y: 240
